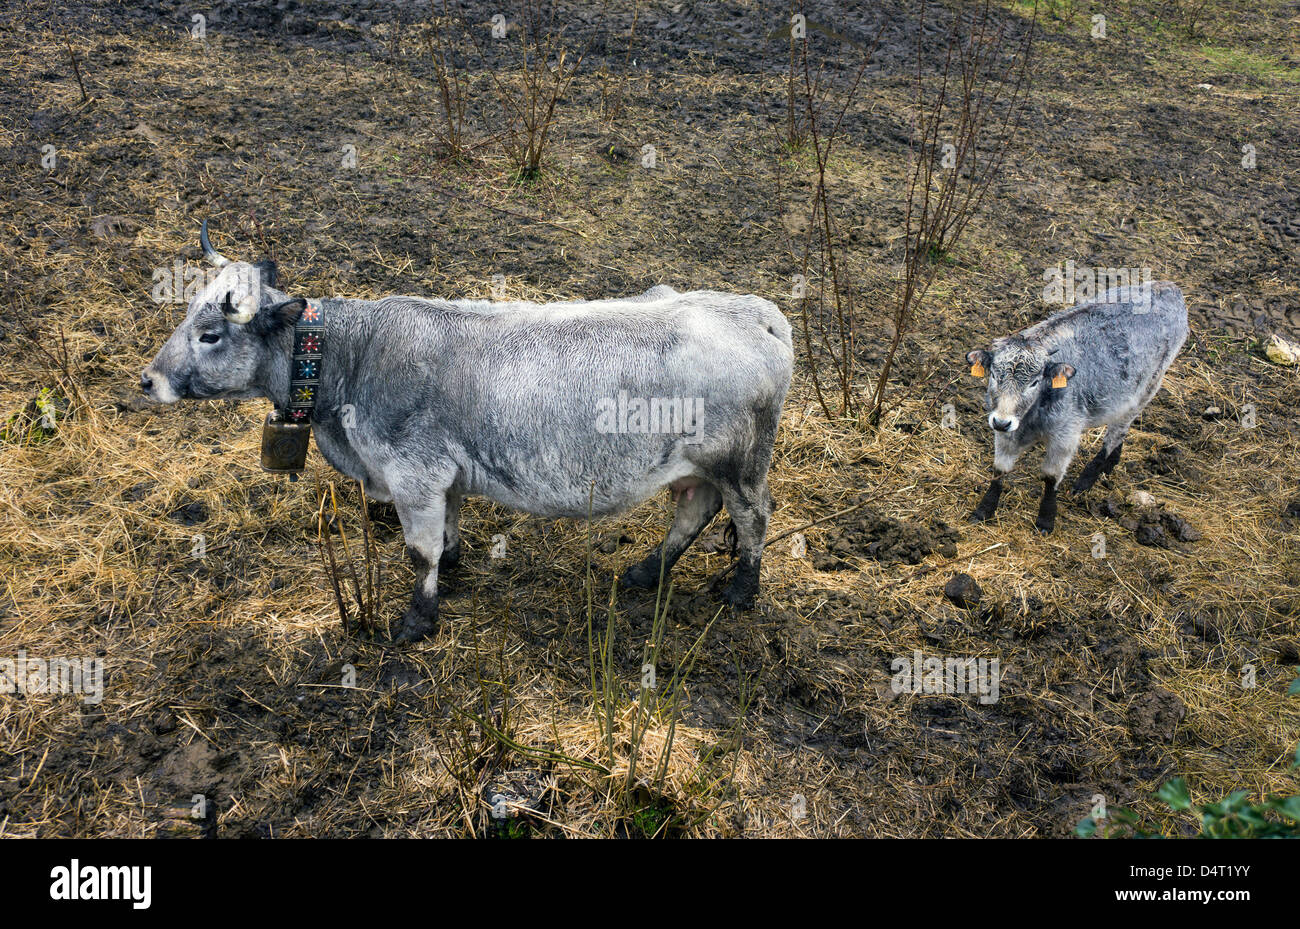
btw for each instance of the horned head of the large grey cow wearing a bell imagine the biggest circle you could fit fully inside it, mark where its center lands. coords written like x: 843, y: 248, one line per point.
x: 227, y: 345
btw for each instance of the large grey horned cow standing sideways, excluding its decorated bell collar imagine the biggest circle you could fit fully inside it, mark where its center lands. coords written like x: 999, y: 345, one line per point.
x: 543, y: 409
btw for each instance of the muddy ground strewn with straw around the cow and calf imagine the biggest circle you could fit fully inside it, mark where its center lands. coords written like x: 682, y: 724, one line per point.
x: 229, y: 675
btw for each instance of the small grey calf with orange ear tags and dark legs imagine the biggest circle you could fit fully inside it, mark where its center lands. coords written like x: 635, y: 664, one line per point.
x: 1097, y: 364
